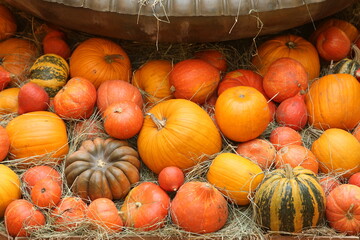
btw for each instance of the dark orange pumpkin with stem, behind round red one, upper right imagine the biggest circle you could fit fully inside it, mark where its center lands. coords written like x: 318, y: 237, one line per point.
x: 291, y: 46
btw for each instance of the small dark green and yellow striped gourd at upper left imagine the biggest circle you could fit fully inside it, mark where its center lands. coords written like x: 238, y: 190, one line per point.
x: 51, y: 72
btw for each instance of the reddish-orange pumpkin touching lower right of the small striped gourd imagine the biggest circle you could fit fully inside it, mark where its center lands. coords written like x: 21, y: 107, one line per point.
x: 76, y: 100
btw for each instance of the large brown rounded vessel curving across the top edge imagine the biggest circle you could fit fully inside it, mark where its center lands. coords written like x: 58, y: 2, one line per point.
x: 180, y: 20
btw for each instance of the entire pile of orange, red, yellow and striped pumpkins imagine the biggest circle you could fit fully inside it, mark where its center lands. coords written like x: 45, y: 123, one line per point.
x: 180, y: 114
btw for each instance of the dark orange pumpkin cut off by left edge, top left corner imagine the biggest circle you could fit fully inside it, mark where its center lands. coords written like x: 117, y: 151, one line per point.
x: 8, y: 24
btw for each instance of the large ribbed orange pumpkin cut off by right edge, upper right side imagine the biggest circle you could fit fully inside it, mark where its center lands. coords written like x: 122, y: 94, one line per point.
x: 333, y: 102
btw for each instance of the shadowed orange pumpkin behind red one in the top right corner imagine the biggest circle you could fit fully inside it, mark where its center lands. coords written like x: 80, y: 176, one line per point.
x: 351, y: 31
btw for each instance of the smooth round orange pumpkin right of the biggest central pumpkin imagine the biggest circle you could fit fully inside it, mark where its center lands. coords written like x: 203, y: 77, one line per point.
x: 242, y: 113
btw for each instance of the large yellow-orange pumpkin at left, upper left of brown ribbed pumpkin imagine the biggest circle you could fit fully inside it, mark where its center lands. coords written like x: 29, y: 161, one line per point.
x: 37, y: 135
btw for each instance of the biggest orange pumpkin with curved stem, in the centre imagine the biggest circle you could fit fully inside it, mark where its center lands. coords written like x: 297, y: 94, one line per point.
x: 177, y: 132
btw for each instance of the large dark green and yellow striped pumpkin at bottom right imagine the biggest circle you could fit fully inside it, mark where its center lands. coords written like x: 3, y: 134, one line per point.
x: 289, y: 200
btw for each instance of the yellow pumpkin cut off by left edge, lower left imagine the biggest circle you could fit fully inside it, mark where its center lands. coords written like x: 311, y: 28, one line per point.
x: 9, y: 187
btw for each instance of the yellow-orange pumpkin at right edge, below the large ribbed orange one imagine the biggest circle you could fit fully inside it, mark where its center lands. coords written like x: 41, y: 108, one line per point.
x: 337, y: 151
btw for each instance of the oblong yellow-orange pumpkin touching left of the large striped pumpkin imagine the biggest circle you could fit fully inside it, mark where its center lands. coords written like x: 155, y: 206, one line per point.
x: 235, y: 176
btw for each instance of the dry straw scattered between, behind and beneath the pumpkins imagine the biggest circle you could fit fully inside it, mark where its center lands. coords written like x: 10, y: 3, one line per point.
x: 238, y: 53
